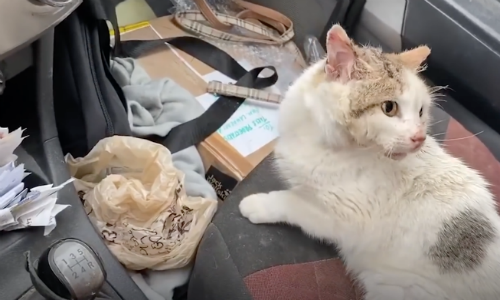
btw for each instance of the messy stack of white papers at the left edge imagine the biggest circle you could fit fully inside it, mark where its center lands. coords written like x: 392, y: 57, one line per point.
x: 20, y: 207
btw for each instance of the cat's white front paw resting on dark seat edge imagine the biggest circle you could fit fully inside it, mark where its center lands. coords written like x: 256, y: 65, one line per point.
x: 262, y: 208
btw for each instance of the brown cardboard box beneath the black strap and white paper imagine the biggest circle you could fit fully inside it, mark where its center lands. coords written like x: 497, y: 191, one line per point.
x: 225, y: 166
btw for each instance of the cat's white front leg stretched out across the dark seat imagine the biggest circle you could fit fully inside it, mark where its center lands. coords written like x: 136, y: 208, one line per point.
x: 288, y: 207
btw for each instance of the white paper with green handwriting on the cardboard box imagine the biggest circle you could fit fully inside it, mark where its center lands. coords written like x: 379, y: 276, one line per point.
x: 252, y: 126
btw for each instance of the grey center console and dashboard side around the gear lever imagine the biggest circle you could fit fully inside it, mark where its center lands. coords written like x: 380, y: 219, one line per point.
x: 26, y: 60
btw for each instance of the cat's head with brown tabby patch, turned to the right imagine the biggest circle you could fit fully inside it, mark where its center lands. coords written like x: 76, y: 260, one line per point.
x: 377, y: 99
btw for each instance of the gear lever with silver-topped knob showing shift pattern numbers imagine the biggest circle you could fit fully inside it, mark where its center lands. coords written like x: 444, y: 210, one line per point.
x: 69, y: 269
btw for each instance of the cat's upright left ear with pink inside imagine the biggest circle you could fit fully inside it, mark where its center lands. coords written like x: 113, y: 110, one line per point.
x: 340, y: 54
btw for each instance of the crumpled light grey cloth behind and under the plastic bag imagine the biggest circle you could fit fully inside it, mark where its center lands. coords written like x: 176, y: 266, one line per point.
x: 155, y: 107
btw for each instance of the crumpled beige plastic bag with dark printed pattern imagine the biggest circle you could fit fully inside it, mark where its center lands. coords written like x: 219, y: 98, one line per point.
x: 136, y: 199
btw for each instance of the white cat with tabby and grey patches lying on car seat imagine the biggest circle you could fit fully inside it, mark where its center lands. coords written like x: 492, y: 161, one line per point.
x: 411, y: 222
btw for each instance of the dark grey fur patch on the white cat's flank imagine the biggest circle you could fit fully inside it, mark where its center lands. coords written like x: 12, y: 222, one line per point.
x: 462, y: 242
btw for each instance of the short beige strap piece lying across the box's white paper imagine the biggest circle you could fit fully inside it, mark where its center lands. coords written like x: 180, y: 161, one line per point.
x: 224, y: 89
